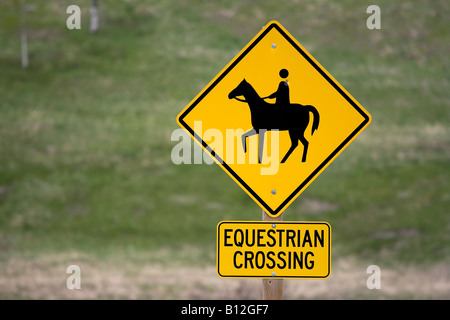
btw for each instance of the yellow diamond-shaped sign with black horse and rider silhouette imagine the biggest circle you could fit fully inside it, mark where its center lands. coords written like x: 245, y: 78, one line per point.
x: 273, y: 119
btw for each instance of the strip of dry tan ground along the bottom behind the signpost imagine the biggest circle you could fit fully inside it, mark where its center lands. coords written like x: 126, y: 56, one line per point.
x: 44, y: 277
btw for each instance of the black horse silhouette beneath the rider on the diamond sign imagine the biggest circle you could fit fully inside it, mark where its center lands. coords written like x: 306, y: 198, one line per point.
x: 266, y: 116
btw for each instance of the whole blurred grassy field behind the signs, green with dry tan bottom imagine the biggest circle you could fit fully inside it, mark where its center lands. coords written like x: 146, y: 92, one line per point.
x: 85, y: 170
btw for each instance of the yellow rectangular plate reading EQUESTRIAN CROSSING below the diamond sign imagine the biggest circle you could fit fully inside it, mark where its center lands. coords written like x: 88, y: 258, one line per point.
x: 278, y: 249
